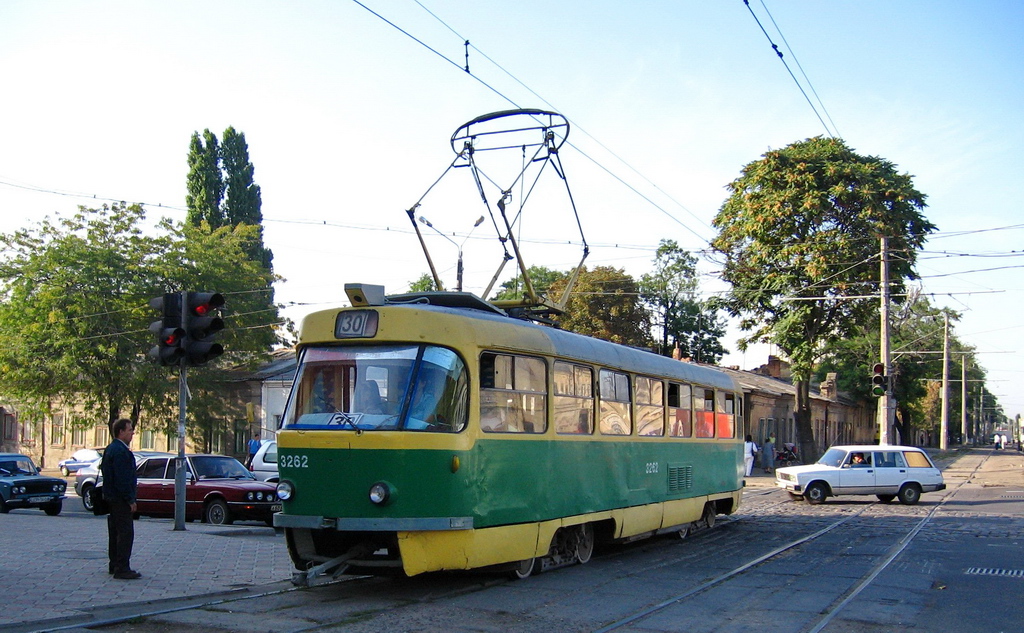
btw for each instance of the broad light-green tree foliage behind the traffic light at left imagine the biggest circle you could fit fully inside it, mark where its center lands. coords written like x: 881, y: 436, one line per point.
x: 75, y: 311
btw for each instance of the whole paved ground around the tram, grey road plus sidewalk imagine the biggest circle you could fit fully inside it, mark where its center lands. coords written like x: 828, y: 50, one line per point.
x: 954, y: 563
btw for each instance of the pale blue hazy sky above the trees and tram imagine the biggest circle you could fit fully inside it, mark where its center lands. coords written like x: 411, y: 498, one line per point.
x: 349, y: 122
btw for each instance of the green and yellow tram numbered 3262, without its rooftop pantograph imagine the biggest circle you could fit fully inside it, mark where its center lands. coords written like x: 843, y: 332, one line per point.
x: 433, y: 432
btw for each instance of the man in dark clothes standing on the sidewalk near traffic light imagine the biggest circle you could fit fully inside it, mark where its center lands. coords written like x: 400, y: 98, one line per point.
x: 120, y: 483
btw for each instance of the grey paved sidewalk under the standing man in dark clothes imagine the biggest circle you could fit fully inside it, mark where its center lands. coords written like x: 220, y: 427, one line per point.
x: 56, y: 567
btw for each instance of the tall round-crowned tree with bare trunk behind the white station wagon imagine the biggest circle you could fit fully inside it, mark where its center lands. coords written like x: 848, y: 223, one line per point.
x: 800, y: 235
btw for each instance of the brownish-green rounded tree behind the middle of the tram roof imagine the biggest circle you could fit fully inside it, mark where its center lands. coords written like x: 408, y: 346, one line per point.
x: 606, y: 304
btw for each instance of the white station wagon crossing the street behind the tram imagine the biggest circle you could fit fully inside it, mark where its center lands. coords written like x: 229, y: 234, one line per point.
x: 885, y: 472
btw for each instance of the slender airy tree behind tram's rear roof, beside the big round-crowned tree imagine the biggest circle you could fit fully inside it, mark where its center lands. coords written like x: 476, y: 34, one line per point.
x: 679, y: 316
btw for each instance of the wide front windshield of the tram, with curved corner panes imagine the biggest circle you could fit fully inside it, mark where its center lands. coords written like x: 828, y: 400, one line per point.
x: 379, y: 388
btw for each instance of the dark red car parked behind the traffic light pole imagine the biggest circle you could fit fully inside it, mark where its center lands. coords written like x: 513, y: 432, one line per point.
x: 219, y: 490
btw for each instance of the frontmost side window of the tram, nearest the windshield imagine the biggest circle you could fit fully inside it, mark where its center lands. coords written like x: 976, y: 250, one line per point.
x: 514, y: 394
